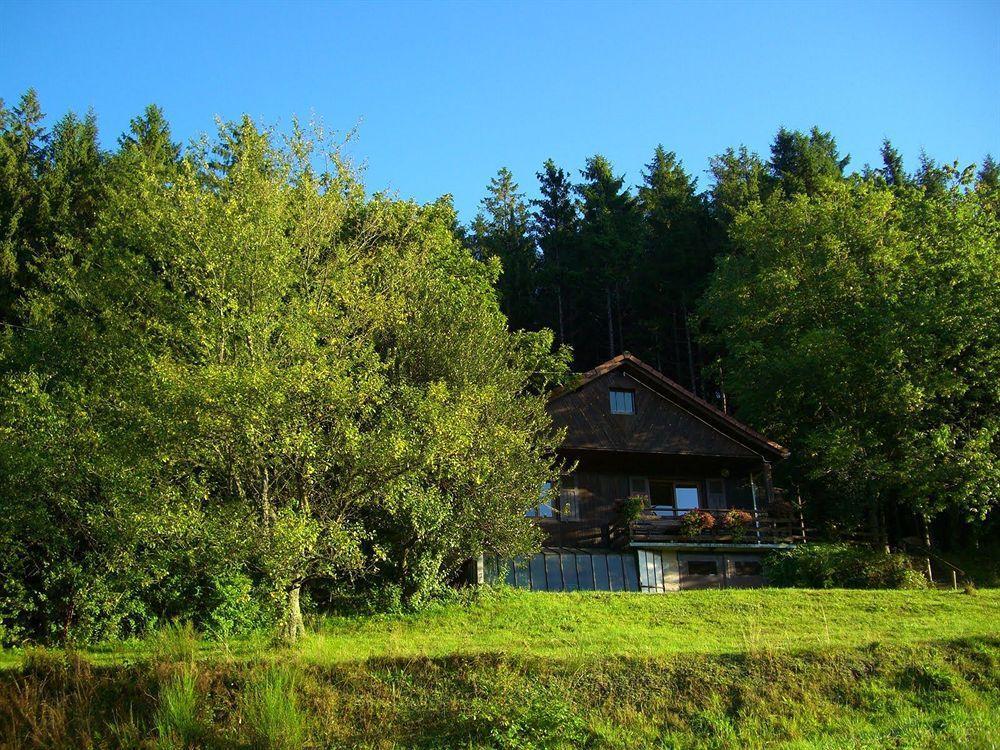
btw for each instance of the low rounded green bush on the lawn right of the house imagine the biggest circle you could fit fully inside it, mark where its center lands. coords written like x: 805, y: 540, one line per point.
x: 826, y: 566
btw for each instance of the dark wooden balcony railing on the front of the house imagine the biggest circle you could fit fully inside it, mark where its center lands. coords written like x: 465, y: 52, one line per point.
x: 760, y: 528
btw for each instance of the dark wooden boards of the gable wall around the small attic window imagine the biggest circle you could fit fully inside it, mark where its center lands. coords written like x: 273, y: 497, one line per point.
x: 659, y: 426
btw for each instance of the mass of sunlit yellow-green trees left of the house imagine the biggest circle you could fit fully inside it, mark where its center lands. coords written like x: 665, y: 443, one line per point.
x: 230, y: 381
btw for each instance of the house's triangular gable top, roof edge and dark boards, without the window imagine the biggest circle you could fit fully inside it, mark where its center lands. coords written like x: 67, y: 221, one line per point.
x: 668, y: 418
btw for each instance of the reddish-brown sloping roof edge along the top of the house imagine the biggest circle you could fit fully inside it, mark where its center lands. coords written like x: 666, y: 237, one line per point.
x: 681, y: 396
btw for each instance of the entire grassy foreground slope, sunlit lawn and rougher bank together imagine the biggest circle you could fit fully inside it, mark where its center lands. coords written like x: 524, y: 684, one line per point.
x: 714, y: 669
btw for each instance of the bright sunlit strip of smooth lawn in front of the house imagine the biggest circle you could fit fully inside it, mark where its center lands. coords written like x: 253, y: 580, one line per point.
x: 641, y: 625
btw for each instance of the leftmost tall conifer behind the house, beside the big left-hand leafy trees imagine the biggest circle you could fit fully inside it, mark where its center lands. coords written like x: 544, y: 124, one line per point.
x: 502, y: 230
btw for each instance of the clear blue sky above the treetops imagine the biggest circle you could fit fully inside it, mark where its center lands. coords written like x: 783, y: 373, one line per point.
x: 446, y: 93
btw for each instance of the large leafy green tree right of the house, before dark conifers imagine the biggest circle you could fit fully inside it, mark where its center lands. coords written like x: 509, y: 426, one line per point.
x: 858, y: 325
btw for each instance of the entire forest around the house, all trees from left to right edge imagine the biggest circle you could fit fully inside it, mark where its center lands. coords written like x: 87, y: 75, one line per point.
x: 236, y: 385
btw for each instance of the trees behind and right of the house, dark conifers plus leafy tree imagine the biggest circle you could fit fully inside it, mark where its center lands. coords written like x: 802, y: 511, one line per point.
x: 853, y: 316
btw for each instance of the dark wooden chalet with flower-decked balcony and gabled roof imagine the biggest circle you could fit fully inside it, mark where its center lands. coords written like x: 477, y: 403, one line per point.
x: 631, y: 432
